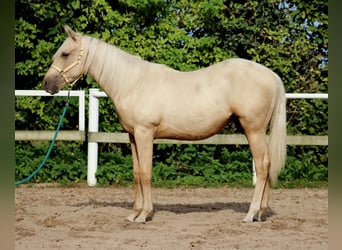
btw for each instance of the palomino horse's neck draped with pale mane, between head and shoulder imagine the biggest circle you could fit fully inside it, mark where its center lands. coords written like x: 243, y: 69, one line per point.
x: 113, y: 69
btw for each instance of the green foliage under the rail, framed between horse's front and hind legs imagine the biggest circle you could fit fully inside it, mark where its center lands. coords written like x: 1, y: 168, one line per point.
x: 210, y: 164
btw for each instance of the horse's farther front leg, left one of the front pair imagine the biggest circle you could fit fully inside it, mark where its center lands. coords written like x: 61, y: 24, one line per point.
x: 138, y: 195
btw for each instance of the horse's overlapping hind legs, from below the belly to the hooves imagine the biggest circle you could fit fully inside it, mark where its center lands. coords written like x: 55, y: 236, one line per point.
x: 258, y: 145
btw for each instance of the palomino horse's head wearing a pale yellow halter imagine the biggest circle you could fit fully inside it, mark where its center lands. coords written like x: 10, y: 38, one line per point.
x: 66, y: 68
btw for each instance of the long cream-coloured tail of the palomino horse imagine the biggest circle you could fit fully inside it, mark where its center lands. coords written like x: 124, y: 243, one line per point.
x: 277, y: 142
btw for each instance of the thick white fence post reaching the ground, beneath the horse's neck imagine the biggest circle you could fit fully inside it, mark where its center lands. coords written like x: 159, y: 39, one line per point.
x: 92, y: 146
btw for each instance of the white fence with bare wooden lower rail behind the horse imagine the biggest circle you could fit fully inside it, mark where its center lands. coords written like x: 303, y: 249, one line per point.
x: 94, y: 136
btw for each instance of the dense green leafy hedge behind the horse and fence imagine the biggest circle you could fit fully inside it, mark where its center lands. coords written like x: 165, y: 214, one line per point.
x: 289, y: 37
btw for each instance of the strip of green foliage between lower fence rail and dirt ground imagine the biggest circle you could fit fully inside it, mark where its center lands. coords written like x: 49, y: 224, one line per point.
x: 173, y: 165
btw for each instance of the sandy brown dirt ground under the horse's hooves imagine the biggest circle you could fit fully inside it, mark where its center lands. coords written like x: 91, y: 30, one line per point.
x: 49, y: 217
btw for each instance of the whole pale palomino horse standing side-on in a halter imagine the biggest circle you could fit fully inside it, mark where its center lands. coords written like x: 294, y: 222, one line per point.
x: 155, y: 101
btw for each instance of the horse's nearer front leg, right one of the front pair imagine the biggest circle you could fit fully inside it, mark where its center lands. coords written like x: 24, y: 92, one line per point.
x: 144, y: 147
